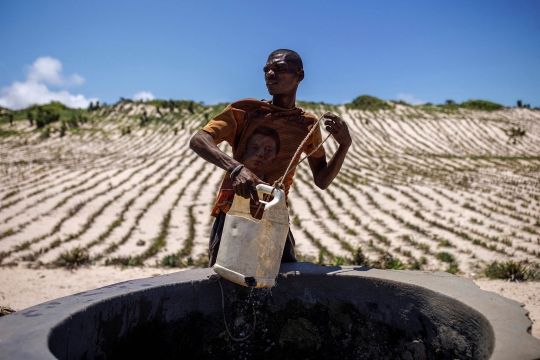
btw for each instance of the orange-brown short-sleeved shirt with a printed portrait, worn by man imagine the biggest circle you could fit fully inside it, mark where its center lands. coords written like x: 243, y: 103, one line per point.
x: 239, y: 119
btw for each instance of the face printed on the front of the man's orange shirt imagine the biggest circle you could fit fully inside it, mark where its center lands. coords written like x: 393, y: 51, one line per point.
x: 260, y: 152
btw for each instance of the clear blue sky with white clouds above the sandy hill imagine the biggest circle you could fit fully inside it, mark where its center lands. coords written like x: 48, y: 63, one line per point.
x: 214, y: 50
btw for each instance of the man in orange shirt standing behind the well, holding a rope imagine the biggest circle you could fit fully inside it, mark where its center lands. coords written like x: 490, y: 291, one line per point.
x: 283, y: 73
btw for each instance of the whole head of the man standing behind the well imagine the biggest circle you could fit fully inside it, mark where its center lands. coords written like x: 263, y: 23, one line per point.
x: 283, y: 72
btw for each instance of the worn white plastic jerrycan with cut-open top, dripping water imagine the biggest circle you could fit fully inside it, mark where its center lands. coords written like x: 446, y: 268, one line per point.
x: 251, y: 249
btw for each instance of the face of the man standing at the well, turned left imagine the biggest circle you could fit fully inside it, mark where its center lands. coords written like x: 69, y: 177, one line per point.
x: 282, y: 78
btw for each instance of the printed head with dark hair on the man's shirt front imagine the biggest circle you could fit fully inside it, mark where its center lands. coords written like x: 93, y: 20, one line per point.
x: 261, y: 150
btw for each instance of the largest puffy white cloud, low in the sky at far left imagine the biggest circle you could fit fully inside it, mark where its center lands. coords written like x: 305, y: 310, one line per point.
x: 45, y: 70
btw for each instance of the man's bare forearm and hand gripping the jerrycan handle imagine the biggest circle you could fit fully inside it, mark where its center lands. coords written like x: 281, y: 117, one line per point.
x: 244, y: 182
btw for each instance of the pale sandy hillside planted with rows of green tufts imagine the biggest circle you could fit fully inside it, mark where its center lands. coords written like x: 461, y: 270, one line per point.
x: 433, y: 188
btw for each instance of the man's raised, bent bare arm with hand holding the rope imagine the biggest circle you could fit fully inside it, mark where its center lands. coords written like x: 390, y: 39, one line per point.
x: 325, y: 172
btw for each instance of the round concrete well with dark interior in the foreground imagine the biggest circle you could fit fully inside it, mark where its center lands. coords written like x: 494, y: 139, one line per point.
x: 316, y: 313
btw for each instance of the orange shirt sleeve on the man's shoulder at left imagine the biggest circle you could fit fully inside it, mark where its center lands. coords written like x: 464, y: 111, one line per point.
x: 224, y: 126
